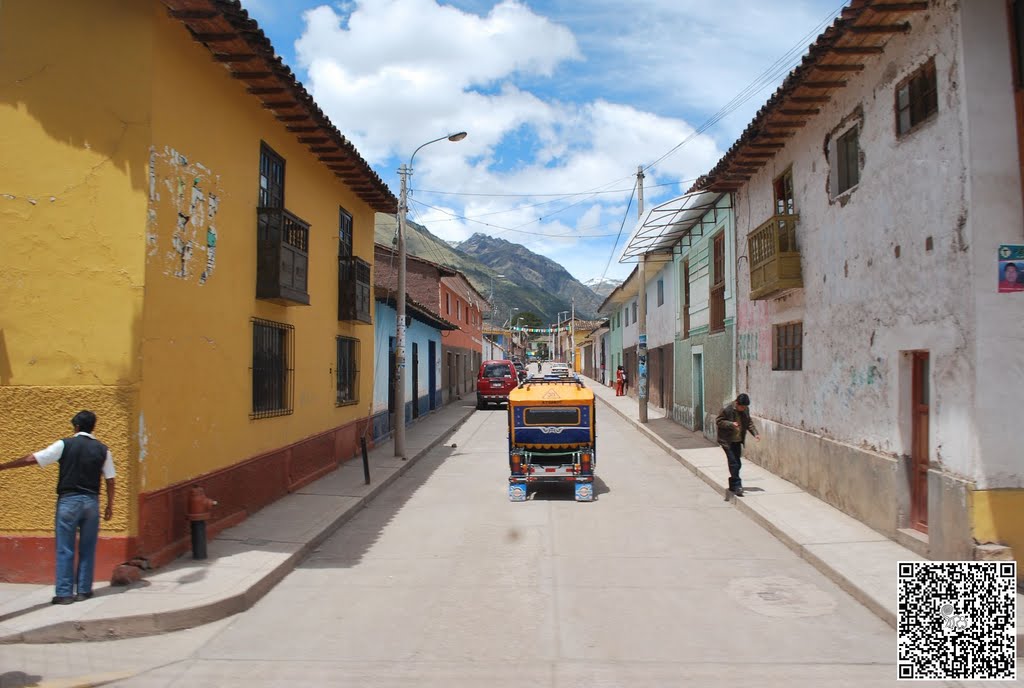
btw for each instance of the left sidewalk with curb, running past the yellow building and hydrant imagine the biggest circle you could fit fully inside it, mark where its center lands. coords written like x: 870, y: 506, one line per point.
x: 245, y: 563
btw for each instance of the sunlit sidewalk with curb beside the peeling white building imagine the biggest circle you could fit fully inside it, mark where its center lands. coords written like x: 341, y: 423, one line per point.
x: 859, y: 560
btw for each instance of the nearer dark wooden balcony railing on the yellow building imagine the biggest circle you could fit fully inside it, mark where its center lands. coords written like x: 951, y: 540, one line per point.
x: 283, y: 257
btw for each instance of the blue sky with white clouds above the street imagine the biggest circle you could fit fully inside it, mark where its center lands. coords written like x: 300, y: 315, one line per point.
x: 563, y: 102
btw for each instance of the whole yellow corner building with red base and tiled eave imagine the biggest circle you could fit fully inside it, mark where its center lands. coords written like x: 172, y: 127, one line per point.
x: 188, y: 249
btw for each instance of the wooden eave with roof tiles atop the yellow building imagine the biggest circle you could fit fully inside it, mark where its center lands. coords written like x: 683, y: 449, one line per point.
x: 240, y: 47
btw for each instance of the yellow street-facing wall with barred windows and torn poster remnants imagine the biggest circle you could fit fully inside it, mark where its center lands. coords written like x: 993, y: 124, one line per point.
x: 197, y: 393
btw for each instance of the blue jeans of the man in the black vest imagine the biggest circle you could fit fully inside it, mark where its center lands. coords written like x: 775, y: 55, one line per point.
x: 77, y: 515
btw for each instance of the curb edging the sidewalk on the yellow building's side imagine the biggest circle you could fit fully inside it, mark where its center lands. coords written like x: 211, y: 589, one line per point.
x: 147, y: 625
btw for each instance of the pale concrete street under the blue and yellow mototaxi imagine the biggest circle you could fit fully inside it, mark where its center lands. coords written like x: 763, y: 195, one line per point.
x: 443, y: 582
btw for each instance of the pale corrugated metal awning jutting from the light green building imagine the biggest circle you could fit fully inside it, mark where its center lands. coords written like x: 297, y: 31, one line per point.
x: 672, y: 223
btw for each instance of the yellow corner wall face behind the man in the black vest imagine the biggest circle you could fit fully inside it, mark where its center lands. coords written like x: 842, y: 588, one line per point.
x: 75, y: 114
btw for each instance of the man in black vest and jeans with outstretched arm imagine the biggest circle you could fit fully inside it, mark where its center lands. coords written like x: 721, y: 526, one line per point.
x: 83, y: 459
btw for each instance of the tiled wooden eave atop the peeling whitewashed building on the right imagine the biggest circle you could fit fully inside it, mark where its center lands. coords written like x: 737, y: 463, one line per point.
x: 860, y: 35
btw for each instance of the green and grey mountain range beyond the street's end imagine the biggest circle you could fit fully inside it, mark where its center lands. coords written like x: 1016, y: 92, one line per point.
x: 521, y: 279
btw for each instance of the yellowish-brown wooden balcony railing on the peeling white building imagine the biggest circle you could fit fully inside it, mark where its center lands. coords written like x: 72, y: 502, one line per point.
x: 775, y: 257
